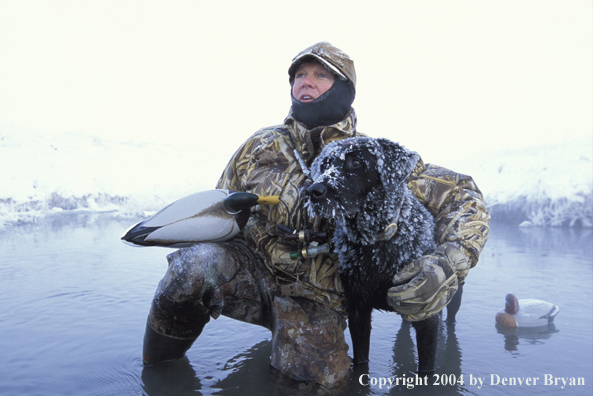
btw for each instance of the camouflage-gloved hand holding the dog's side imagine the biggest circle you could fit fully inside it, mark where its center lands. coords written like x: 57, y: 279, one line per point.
x: 424, y: 287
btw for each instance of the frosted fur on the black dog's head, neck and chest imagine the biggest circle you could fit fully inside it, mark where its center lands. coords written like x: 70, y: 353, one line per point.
x: 365, y: 199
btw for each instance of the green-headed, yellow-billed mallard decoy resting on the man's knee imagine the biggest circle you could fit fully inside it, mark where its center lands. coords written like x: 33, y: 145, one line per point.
x: 207, y: 216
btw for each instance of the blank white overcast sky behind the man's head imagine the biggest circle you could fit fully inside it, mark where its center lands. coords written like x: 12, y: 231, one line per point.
x: 441, y: 77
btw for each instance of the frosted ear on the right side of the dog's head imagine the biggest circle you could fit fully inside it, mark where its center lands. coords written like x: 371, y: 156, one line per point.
x: 398, y: 163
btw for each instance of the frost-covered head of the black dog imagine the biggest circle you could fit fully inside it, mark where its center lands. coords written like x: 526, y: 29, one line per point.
x: 358, y: 174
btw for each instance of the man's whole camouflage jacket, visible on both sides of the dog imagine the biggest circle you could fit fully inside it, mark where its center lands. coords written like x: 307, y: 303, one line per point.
x: 266, y: 165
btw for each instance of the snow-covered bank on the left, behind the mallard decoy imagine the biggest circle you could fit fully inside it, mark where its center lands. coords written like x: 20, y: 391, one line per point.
x: 44, y: 175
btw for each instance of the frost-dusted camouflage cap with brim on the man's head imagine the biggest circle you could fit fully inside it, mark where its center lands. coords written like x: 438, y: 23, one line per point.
x: 329, y: 56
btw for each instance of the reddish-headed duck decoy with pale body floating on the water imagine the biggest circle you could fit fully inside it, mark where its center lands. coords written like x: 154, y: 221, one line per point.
x: 526, y: 313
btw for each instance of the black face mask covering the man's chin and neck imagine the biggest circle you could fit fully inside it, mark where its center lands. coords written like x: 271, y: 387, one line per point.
x: 328, y: 109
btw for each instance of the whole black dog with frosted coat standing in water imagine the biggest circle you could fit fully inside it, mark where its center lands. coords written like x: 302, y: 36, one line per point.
x: 379, y: 227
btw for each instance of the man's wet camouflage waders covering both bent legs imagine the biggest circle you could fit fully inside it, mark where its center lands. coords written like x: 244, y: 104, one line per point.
x: 227, y: 278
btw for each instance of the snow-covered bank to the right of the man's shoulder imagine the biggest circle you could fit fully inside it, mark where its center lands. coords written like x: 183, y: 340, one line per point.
x: 547, y: 185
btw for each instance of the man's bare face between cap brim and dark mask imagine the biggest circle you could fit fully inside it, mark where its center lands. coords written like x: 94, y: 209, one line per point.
x: 311, y: 80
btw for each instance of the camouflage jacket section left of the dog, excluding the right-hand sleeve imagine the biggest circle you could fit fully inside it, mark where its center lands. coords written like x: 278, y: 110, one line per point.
x: 266, y: 165
